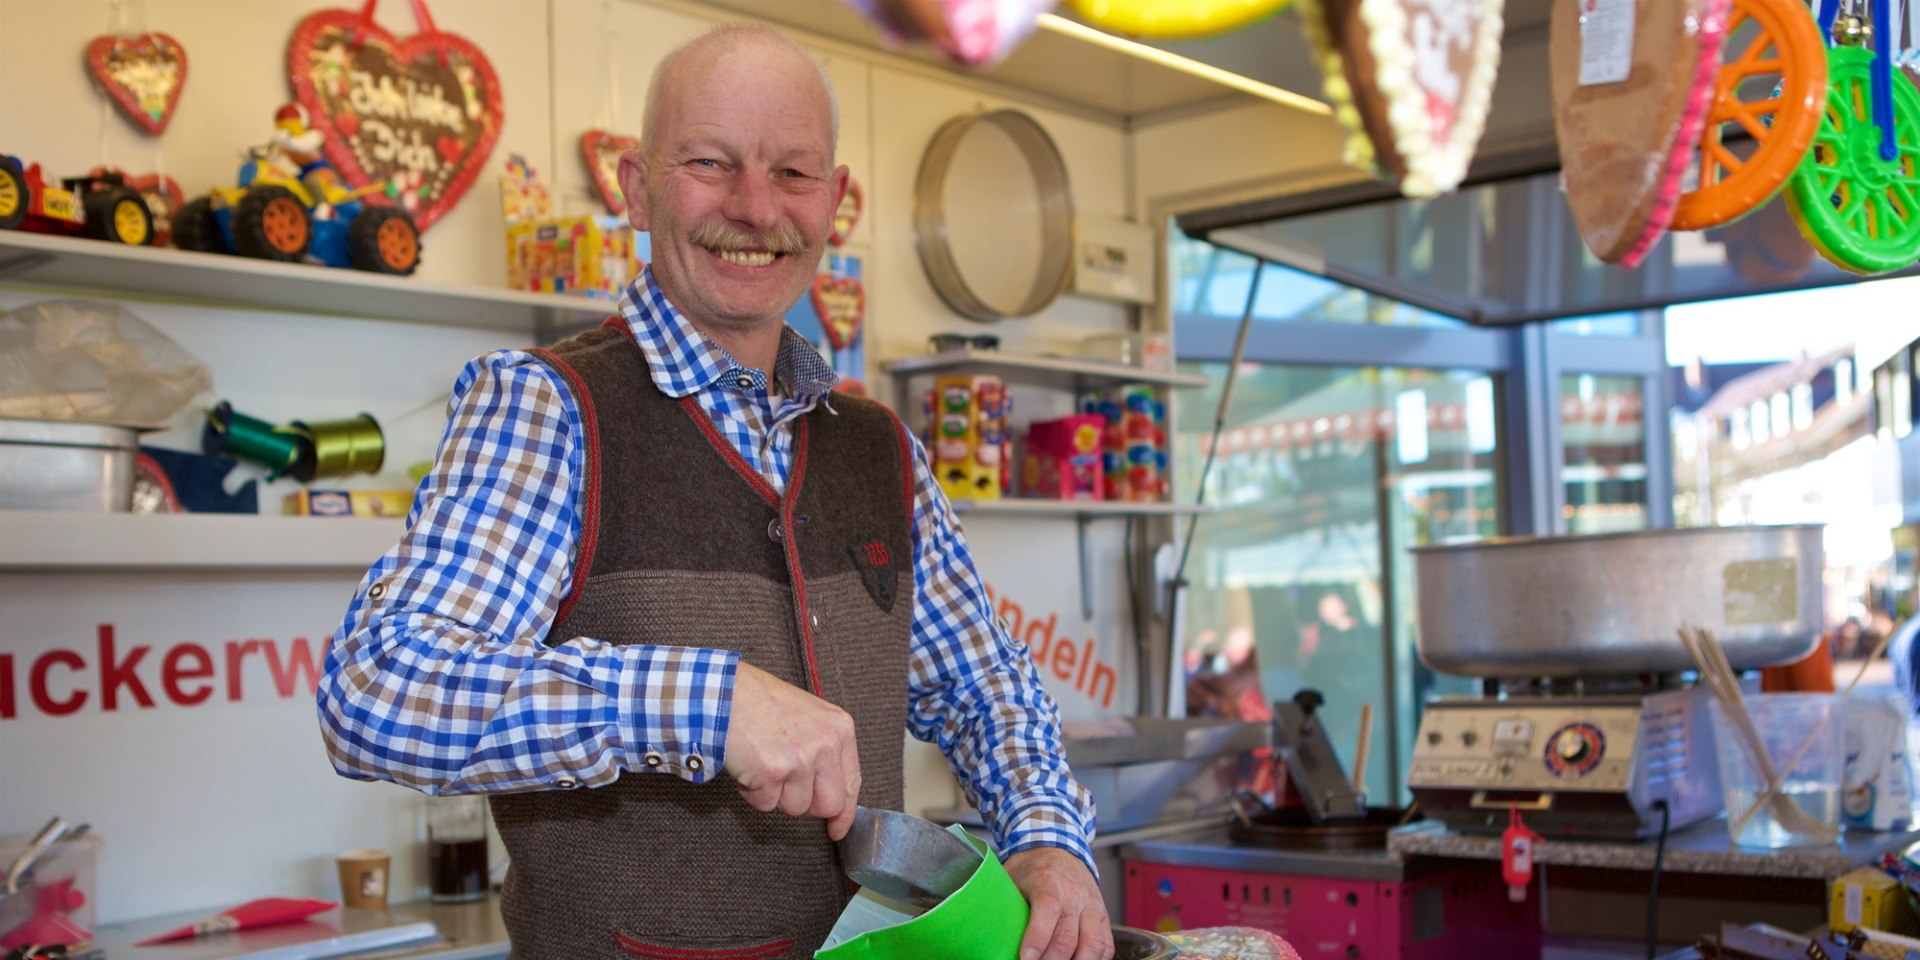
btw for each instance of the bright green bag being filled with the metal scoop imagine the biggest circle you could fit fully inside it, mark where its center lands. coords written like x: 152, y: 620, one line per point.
x: 982, y: 921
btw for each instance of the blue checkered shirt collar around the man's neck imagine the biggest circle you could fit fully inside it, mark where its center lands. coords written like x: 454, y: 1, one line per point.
x: 684, y: 362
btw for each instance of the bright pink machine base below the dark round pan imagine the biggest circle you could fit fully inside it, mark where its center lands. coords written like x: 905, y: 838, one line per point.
x: 1460, y: 913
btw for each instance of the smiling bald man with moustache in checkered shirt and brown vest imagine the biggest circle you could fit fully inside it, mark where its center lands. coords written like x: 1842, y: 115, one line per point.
x: 673, y: 608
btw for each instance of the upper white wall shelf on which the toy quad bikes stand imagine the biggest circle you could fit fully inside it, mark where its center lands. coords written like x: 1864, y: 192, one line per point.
x: 93, y: 266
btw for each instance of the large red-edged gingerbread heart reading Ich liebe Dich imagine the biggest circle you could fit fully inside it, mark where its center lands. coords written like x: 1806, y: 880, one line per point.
x: 420, y: 114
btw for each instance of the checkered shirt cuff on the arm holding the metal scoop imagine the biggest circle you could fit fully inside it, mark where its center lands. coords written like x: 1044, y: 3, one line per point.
x: 675, y: 708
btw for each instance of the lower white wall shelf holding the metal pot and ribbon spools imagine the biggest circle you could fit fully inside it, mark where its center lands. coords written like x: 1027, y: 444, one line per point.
x: 47, y: 542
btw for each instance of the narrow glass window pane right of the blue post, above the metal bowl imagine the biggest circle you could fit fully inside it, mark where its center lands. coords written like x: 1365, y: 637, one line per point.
x: 1606, y: 468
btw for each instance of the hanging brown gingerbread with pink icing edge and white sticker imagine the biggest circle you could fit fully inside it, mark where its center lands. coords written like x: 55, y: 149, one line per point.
x: 1633, y: 82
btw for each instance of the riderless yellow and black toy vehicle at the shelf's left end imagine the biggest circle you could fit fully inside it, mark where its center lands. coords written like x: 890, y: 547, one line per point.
x: 101, y: 206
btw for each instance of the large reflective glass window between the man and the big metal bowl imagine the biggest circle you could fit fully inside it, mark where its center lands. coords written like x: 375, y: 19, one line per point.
x: 1324, y: 479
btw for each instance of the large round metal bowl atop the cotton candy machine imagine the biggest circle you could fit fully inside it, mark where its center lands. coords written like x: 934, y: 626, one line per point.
x: 1612, y: 604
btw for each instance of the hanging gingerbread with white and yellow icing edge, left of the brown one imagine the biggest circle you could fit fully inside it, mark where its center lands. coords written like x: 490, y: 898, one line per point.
x: 1410, y: 80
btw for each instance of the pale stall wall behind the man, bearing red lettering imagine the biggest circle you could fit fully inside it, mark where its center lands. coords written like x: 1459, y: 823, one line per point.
x: 239, y: 790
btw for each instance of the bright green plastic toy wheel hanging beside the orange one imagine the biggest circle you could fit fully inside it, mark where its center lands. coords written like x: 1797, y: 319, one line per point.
x: 1858, y: 210
